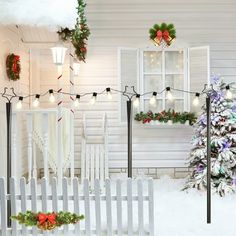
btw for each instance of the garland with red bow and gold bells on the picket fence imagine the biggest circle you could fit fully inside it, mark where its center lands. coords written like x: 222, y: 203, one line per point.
x: 47, y: 221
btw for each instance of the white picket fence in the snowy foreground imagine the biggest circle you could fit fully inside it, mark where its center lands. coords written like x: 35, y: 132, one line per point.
x: 124, y: 208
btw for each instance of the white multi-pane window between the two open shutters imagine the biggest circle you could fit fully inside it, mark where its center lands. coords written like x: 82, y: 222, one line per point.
x: 161, y: 69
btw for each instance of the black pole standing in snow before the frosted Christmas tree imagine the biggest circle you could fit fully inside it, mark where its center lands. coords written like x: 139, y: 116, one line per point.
x: 208, y: 106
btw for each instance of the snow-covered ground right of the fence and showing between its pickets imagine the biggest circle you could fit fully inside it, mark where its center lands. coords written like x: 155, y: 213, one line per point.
x: 179, y: 213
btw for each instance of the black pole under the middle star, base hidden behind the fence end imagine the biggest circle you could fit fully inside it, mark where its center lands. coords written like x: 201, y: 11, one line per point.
x: 129, y: 126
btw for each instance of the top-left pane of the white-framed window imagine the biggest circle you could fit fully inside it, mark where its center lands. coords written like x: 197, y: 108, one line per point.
x: 152, y: 62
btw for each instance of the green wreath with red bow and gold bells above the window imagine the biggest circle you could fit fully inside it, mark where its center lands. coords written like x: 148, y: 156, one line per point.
x: 162, y: 34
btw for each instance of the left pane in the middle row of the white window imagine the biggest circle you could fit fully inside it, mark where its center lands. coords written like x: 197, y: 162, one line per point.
x: 153, y: 83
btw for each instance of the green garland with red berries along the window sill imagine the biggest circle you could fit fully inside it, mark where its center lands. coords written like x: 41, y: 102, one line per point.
x: 165, y: 116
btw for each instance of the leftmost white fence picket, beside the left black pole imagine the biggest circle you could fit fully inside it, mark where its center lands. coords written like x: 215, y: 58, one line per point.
x: 3, y: 207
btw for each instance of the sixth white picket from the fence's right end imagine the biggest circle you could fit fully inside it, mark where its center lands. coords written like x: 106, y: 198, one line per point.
x: 98, y: 206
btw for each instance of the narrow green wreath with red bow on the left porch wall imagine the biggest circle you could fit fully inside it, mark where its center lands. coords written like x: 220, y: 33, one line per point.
x: 13, y: 66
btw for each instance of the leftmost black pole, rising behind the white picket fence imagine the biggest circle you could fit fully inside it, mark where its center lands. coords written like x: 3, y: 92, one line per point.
x: 9, y: 121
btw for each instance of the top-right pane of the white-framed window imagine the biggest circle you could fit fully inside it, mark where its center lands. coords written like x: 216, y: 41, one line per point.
x: 174, y: 62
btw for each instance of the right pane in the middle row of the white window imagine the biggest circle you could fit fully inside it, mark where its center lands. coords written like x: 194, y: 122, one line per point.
x: 177, y: 82
